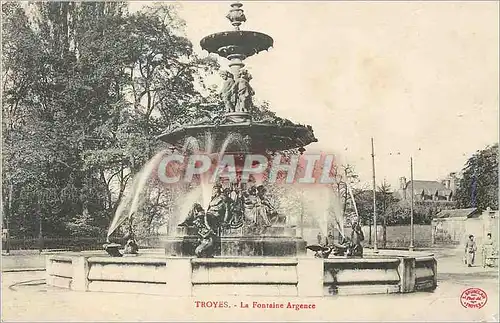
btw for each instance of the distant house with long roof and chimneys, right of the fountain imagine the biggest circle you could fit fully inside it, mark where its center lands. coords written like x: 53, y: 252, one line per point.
x: 432, y: 191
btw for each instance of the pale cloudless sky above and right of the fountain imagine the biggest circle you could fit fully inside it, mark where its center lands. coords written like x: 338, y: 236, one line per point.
x: 421, y: 78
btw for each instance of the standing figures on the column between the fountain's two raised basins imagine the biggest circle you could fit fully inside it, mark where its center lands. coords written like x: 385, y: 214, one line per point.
x: 237, y: 93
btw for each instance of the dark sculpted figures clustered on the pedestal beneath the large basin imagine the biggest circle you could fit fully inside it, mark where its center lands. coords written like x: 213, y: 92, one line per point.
x: 230, y: 208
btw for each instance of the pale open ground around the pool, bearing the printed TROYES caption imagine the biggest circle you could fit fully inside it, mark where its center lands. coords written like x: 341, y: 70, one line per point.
x: 26, y: 297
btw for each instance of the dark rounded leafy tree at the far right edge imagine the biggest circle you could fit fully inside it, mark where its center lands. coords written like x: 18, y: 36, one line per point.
x: 478, y: 185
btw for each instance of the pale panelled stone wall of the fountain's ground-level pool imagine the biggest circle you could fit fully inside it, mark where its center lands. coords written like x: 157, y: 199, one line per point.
x: 389, y: 271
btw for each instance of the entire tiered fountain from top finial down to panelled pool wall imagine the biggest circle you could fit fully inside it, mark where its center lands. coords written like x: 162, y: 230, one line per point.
x: 233, y: 227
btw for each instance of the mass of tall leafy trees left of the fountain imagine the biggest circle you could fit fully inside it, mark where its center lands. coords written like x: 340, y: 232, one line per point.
x: 87, y: 86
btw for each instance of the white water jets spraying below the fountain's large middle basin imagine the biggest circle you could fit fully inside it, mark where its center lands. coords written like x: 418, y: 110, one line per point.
x: 320, y: 203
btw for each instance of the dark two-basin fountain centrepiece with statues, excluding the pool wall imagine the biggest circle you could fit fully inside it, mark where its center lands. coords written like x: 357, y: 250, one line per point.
x: 239, y: 133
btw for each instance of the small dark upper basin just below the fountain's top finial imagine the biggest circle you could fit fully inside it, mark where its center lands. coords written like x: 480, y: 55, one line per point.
x: 239, y: 42
